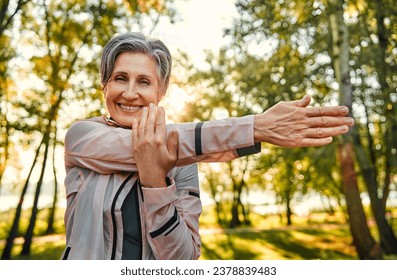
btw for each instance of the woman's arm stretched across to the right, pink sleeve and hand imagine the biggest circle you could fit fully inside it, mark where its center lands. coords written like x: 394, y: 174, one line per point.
x: 95, y: 145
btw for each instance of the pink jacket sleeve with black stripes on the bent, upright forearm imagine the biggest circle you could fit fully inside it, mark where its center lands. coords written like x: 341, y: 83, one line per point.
x: 172, y: 216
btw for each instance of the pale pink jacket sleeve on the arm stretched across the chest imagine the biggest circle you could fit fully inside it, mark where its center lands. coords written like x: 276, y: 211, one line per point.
x: 107, y: 149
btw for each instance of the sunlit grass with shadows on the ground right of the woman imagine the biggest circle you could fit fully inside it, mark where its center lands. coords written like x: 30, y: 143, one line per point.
x: 298, y: 243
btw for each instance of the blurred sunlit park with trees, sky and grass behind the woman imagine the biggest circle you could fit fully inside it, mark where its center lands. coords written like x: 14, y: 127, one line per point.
x: 231, y: 58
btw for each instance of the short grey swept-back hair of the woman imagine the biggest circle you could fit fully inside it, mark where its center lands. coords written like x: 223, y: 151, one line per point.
x: 137, y: 43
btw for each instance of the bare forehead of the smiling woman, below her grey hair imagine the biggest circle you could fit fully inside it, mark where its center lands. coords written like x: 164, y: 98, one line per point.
x: 136, y: 63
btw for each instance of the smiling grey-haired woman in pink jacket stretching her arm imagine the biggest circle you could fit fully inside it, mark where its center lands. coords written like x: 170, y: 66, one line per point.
x: 114, y: 212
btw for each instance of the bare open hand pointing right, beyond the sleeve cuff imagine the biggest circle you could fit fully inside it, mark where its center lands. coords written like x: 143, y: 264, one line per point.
x: 294, y: 124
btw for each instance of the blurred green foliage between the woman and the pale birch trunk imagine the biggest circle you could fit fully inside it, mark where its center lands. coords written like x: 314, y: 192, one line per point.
x: 240, y: 81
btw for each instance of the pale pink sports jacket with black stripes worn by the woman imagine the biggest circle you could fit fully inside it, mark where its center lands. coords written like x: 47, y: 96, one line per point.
x: 100, y: 172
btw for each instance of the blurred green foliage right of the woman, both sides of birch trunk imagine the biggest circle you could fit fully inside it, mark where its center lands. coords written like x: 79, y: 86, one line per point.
x: 280, y: 51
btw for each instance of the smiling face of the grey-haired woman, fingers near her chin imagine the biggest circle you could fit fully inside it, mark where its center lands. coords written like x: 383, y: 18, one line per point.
x: 134, y: 84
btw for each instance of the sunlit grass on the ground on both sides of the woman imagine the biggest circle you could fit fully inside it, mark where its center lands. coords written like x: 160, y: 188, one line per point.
x: 324, y: 242
